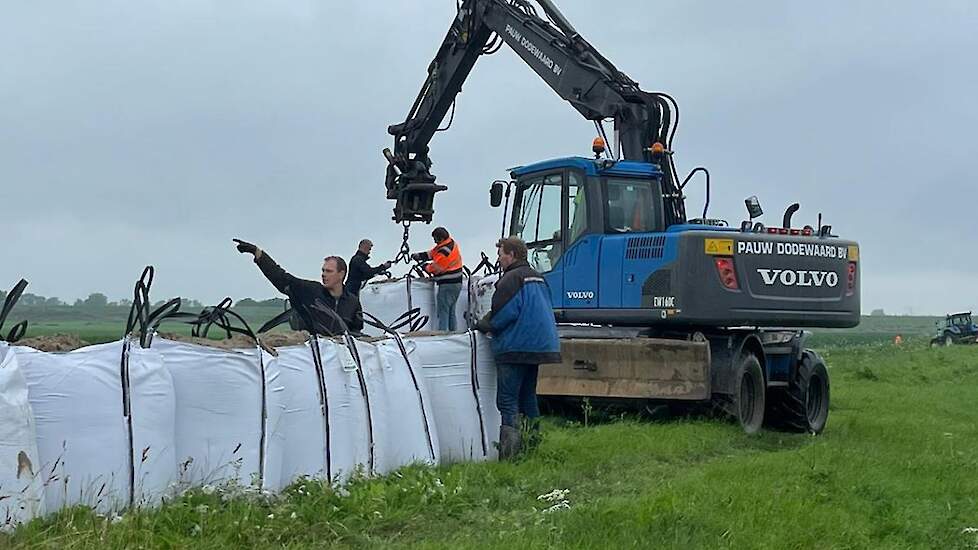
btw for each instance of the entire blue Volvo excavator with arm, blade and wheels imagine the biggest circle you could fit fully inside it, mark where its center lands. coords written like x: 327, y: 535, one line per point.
x: 653, y: 306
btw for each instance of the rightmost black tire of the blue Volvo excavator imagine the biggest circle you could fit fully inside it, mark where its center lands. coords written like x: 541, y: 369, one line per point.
x: 804, y: 406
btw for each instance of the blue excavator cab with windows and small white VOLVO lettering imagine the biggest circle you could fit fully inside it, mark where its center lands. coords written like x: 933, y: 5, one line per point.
x: 564, y: 209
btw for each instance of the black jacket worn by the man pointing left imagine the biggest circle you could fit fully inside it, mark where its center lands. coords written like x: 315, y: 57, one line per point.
x: 310, y: 299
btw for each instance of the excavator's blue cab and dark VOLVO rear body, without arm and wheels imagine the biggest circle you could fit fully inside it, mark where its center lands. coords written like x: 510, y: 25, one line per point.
x: 599, y: 232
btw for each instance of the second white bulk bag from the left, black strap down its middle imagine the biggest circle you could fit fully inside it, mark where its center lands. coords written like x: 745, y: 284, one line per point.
x: 103, y: 441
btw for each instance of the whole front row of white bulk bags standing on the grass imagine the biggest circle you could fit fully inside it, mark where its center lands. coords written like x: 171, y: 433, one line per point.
x: 116, y: 425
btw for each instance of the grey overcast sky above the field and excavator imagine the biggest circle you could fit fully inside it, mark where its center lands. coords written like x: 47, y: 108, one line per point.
x: 136, y: 133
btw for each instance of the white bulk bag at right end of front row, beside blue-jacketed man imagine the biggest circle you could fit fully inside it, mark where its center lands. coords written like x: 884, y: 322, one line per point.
x: 460, y: 376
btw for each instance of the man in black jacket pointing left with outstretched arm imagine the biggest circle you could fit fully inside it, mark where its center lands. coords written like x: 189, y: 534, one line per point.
x: 318, y: 306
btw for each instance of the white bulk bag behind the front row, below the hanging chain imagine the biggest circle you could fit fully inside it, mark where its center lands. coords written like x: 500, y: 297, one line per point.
x: 388, y: 300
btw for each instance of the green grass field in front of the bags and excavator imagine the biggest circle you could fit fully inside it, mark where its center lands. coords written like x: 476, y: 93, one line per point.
x: 897, y: 467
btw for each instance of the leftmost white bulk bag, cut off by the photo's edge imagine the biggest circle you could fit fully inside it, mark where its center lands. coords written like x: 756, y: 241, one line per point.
x: 21, y: 493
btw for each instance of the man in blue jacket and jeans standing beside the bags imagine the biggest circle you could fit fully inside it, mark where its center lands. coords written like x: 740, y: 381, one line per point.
x: 524, y: 332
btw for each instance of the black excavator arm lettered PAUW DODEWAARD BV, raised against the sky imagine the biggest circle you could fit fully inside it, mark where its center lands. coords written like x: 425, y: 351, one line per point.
x: 564, y: 60
